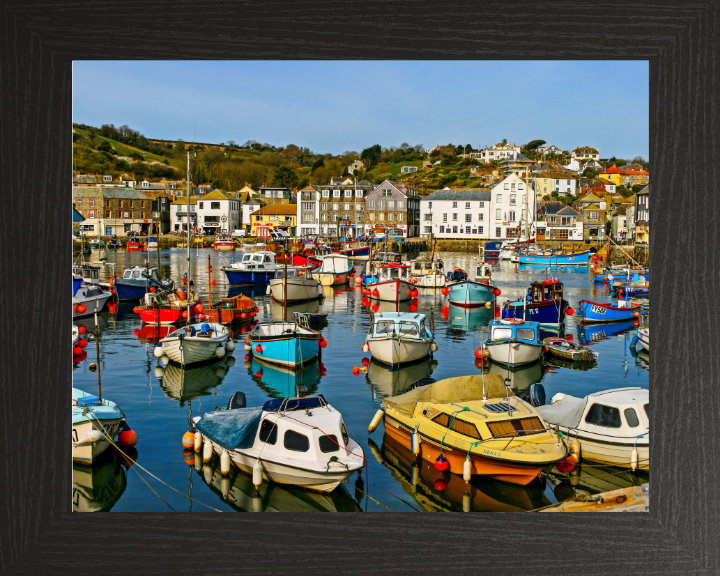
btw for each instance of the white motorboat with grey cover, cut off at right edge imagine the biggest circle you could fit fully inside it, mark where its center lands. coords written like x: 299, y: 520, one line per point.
x: 613, y: 426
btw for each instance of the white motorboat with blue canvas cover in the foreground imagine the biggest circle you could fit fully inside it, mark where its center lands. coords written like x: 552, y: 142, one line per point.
x: 297, y: 441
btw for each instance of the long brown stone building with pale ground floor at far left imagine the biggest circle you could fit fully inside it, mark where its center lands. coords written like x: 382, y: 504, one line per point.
x: 109, y: 211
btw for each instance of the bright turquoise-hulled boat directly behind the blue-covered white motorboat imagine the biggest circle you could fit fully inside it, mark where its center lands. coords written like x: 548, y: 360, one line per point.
x: 284, y: 343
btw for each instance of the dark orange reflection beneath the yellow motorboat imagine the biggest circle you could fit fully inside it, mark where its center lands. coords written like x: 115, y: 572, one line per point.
x: 436, y: 491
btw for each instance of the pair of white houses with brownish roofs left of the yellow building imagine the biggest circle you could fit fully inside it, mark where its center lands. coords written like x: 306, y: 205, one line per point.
x: 214, y: 213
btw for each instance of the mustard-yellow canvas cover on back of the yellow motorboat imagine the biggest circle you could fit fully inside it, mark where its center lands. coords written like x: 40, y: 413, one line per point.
x: 460, y: 389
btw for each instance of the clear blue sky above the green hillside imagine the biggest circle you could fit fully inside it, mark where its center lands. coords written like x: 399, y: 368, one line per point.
x: 335, y: 106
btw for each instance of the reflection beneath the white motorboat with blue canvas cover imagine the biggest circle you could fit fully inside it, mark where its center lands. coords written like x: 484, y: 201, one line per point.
x: 238, y: 491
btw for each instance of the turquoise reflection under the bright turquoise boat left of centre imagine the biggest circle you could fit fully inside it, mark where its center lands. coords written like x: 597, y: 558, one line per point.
x: 280, y: 382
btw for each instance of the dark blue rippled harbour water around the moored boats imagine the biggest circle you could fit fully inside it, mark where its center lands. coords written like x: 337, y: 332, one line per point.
x: 159, y: 408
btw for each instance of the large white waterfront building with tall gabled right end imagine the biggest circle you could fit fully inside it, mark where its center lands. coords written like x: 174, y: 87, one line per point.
x: 478, y: 214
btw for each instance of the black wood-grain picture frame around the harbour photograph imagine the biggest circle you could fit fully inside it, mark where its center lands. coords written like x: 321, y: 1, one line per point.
x: 38, y: 532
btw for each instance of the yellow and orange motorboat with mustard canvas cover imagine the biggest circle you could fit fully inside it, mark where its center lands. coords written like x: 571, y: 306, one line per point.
x: 472, y: 425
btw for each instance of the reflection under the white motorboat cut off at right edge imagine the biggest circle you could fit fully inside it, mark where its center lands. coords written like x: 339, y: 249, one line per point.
x: 590, y: 478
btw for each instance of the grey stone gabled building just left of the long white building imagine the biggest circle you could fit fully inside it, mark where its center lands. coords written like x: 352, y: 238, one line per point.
x: 394, y: 207
